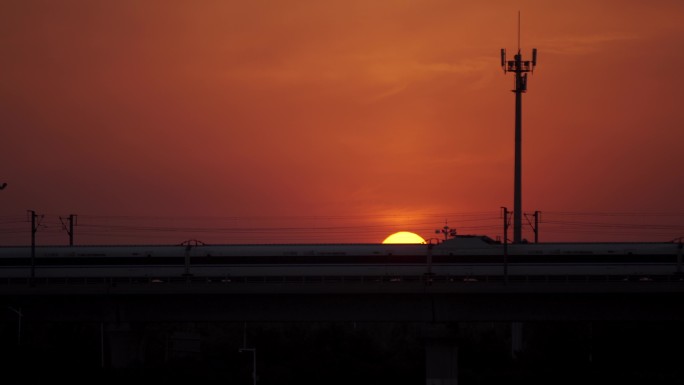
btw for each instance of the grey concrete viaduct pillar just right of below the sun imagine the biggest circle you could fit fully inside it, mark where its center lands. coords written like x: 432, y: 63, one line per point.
x: 441, y: 357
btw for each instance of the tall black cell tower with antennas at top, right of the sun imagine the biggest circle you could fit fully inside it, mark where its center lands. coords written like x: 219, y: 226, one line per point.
x: 520, y: 68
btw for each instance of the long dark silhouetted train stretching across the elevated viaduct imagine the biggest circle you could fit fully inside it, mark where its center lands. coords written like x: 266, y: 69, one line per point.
x: 462, y: 256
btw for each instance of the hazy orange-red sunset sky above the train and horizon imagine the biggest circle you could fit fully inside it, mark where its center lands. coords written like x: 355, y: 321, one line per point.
x: 337, y: 121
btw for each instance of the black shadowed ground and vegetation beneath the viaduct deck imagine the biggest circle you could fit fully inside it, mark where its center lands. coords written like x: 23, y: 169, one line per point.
x: 340, y: 353
